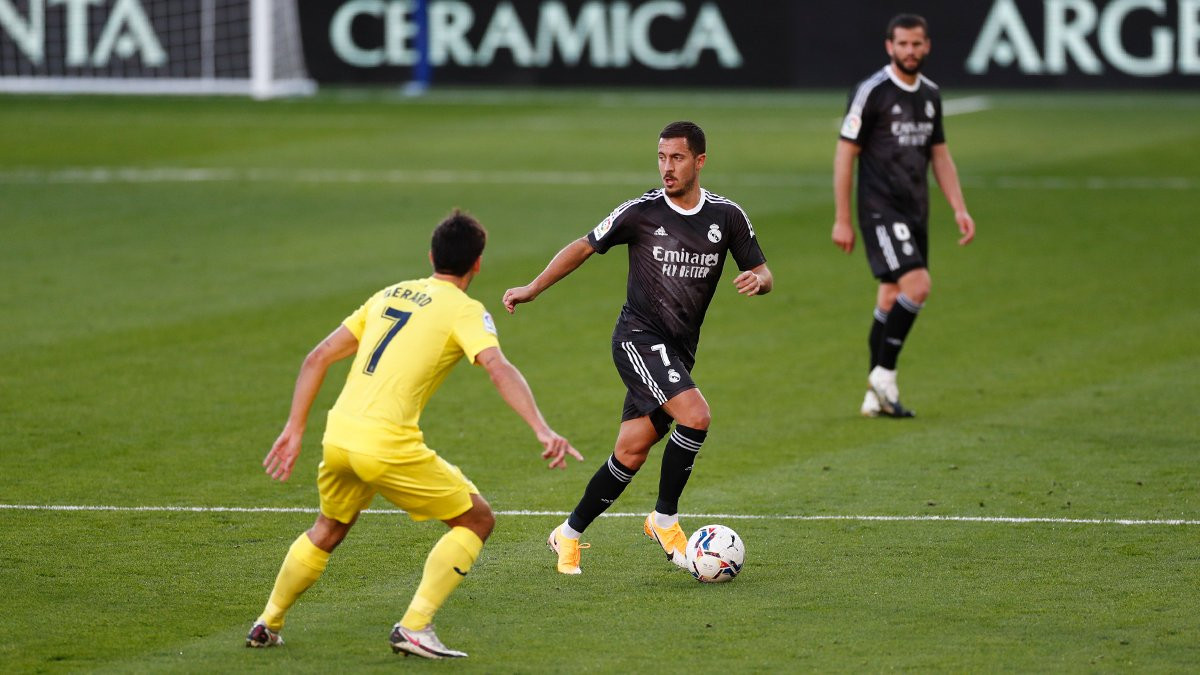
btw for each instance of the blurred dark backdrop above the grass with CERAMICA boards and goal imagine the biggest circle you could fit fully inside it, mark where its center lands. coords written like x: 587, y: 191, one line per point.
x: 284, y: 47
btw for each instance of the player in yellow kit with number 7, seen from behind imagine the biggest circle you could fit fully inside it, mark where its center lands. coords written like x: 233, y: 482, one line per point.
x: 405, y: 341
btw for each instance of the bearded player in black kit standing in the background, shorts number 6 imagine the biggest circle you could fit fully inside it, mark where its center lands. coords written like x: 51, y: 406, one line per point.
x: 893, y: 128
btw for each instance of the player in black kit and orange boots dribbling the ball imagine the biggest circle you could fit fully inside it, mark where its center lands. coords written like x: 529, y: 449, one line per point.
x: 677, y: 238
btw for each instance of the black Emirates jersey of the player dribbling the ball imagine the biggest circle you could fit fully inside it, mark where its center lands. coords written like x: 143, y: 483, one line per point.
x: 676, y: 259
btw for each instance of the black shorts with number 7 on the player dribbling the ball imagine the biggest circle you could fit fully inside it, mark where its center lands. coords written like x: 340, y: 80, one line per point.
x: 653, y: 373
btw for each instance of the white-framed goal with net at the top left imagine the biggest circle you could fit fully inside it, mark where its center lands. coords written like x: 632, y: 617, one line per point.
x: 241, y: 47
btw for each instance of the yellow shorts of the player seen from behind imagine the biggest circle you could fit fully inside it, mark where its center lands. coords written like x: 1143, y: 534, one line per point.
x: 429, y: 489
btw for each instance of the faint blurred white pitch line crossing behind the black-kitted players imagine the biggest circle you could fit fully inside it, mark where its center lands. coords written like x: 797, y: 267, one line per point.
x: 107, y: 176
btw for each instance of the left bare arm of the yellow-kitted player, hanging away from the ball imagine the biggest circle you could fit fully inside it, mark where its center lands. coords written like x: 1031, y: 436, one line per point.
x: 283, y: 457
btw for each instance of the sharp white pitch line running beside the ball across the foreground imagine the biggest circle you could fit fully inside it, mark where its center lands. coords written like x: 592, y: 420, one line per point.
x: 701, y: 516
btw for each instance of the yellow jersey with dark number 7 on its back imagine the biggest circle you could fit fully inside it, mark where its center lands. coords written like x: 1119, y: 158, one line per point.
x: 410, y: 336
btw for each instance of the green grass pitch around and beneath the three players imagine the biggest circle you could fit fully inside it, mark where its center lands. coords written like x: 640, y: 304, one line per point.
x: 167, y: 264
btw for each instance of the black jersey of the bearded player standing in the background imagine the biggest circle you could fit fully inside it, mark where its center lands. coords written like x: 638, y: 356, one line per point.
x: 896, y: 126
